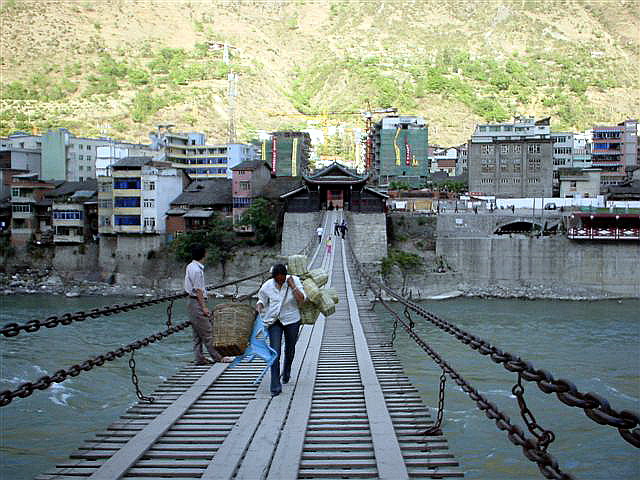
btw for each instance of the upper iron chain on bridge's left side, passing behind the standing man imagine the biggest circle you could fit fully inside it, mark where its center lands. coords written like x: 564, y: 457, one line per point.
x: 13, y: 329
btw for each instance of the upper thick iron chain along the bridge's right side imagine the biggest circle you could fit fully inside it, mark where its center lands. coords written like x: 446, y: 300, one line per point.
x: 596, y: 407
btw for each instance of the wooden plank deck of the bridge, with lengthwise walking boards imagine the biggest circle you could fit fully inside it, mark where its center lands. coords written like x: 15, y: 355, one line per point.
x: 348, y: 412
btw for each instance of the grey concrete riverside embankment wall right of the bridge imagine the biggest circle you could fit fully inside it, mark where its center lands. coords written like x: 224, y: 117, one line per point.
x: 469, y: 248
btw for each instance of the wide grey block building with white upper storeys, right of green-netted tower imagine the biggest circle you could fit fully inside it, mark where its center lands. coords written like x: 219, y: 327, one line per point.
x: 512, y: 160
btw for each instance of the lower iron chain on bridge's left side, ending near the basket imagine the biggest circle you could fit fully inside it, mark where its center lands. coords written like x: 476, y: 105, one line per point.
x: 26, y: 389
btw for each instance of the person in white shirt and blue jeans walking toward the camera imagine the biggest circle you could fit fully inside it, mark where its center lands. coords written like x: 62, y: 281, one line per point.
x: 279, y: 300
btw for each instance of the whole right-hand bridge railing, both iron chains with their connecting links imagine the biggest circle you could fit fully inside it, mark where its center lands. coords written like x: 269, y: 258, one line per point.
x: 594, y: 406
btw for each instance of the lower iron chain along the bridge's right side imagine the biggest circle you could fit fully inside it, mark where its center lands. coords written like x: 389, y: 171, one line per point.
x: 547, y: 464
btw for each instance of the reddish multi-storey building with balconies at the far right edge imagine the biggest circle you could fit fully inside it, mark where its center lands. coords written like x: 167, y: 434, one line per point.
x: 615, y: 151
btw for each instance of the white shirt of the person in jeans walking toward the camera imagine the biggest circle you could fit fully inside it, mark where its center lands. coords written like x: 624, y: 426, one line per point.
x: 271, y: 297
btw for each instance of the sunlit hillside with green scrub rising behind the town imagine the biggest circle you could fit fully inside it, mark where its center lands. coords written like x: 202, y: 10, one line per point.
x: 124, y: 66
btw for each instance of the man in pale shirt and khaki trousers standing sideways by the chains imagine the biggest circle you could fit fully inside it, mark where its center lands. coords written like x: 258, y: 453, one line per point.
x: 199, y: 313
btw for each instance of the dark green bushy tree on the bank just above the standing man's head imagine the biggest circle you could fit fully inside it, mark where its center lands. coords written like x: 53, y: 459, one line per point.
x: 218, y: 239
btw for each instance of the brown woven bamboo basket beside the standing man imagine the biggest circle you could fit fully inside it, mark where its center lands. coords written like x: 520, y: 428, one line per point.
x: 231, y: 327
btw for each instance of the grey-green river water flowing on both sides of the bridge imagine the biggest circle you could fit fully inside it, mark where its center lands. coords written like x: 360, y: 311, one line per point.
x: 593, y: 344
